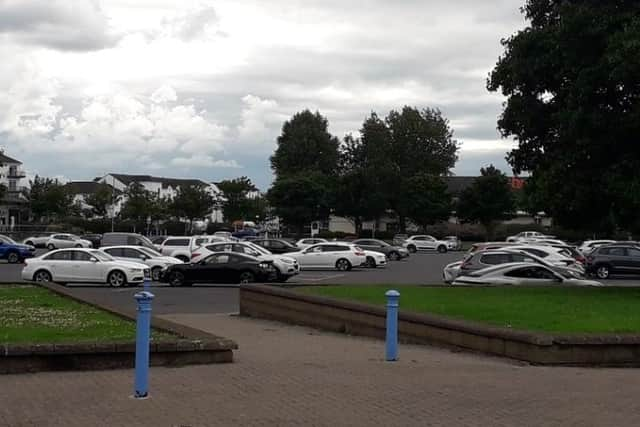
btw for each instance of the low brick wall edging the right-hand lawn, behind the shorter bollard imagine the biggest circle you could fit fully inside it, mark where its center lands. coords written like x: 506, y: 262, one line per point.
x: 361, y: 319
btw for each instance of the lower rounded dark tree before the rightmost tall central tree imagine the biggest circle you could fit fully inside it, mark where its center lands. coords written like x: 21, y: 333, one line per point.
x: 427, y: 200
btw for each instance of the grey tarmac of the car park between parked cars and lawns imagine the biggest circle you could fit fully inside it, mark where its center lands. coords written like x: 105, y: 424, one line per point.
x: 419, y: 269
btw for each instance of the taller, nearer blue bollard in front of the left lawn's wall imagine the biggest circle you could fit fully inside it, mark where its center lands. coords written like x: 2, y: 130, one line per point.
x: 143, y: 332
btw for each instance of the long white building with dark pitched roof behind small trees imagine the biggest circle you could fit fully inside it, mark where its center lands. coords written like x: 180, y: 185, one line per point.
x: 161, y: 186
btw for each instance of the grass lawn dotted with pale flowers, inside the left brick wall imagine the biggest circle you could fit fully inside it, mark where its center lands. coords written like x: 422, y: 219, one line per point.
x: 30, y: 314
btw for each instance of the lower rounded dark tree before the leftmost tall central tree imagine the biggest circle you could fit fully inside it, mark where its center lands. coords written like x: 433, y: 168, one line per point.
x: 301, y: 199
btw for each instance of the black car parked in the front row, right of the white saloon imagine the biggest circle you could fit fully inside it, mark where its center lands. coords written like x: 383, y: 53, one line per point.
x: 220, y: 267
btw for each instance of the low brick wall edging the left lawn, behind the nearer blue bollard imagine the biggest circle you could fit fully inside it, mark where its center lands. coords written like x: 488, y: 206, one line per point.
x: 191, y: 346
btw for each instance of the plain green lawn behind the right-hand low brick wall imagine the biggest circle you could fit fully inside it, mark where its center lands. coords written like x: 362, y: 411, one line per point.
x: 560, y: 310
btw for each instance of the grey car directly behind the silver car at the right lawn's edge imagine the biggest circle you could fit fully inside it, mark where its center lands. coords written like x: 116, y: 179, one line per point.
x: 484, y: 259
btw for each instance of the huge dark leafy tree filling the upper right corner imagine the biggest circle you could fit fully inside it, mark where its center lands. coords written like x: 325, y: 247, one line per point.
x: 572, y: 82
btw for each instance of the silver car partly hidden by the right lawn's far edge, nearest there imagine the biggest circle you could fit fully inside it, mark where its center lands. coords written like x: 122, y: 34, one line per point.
x: 521, y: 274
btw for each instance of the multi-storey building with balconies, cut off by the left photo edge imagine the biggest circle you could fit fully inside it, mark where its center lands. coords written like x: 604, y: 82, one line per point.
x: 14, y: 206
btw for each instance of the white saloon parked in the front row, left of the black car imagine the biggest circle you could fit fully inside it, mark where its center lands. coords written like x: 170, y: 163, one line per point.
x: 83, y: 266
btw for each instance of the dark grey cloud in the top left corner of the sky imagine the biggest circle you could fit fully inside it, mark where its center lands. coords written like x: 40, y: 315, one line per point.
x: 71, y: 25
